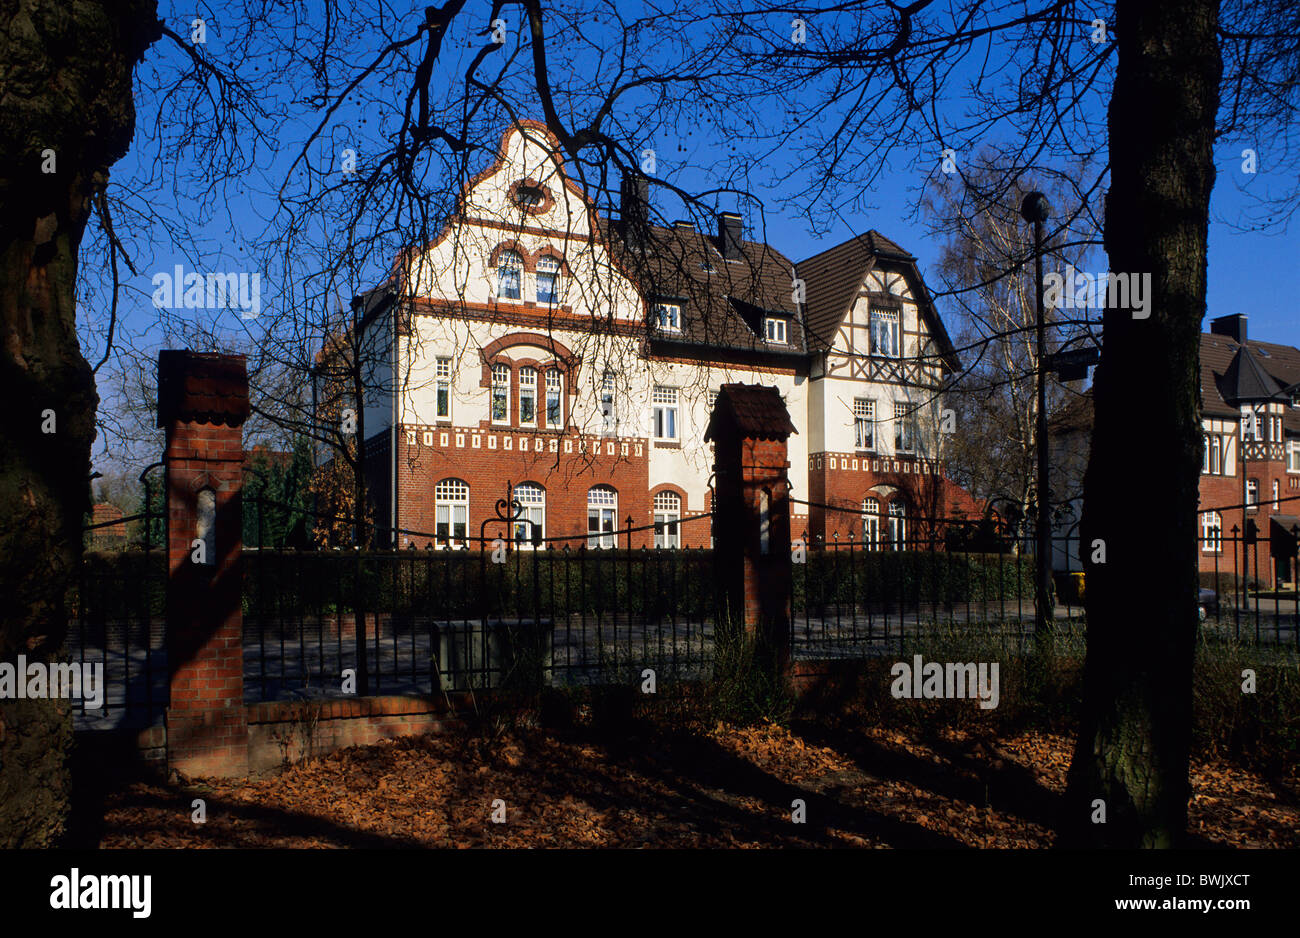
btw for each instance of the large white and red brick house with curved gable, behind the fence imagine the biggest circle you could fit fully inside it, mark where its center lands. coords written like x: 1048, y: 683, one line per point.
x: 539, y: 345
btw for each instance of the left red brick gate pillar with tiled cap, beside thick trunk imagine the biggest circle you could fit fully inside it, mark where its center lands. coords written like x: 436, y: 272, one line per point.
x: 203, y: 402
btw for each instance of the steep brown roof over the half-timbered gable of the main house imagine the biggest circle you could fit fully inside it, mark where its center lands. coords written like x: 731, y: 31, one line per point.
x: 834, y: 277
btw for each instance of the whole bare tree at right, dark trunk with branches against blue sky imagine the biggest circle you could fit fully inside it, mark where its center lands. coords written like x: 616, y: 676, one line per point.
x: 874, y: 89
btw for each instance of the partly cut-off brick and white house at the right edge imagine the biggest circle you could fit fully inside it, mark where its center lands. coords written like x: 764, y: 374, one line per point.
x: 1253, y: 453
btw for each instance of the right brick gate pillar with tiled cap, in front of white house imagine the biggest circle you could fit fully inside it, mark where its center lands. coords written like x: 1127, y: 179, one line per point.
x: 752, y: 523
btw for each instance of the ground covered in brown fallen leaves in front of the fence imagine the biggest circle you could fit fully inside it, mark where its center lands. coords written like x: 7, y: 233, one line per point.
x: 727, y: 788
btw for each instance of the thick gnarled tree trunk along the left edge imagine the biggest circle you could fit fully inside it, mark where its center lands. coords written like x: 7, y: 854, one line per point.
x: 66, y: 88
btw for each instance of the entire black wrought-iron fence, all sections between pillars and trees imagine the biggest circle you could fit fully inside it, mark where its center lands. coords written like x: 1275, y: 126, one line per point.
x: 506, y: 609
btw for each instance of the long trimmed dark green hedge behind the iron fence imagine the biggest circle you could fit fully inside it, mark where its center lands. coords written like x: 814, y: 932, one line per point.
x: 640, y: 583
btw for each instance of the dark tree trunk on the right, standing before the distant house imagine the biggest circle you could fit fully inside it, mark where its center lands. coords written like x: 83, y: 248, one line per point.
x: 1134, y: 740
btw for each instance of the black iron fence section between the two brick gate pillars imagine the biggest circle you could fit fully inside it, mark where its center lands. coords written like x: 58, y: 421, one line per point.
x: 479, y: 611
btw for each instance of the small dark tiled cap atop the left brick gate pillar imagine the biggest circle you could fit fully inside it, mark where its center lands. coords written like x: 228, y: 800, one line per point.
x: 205, y: 388
